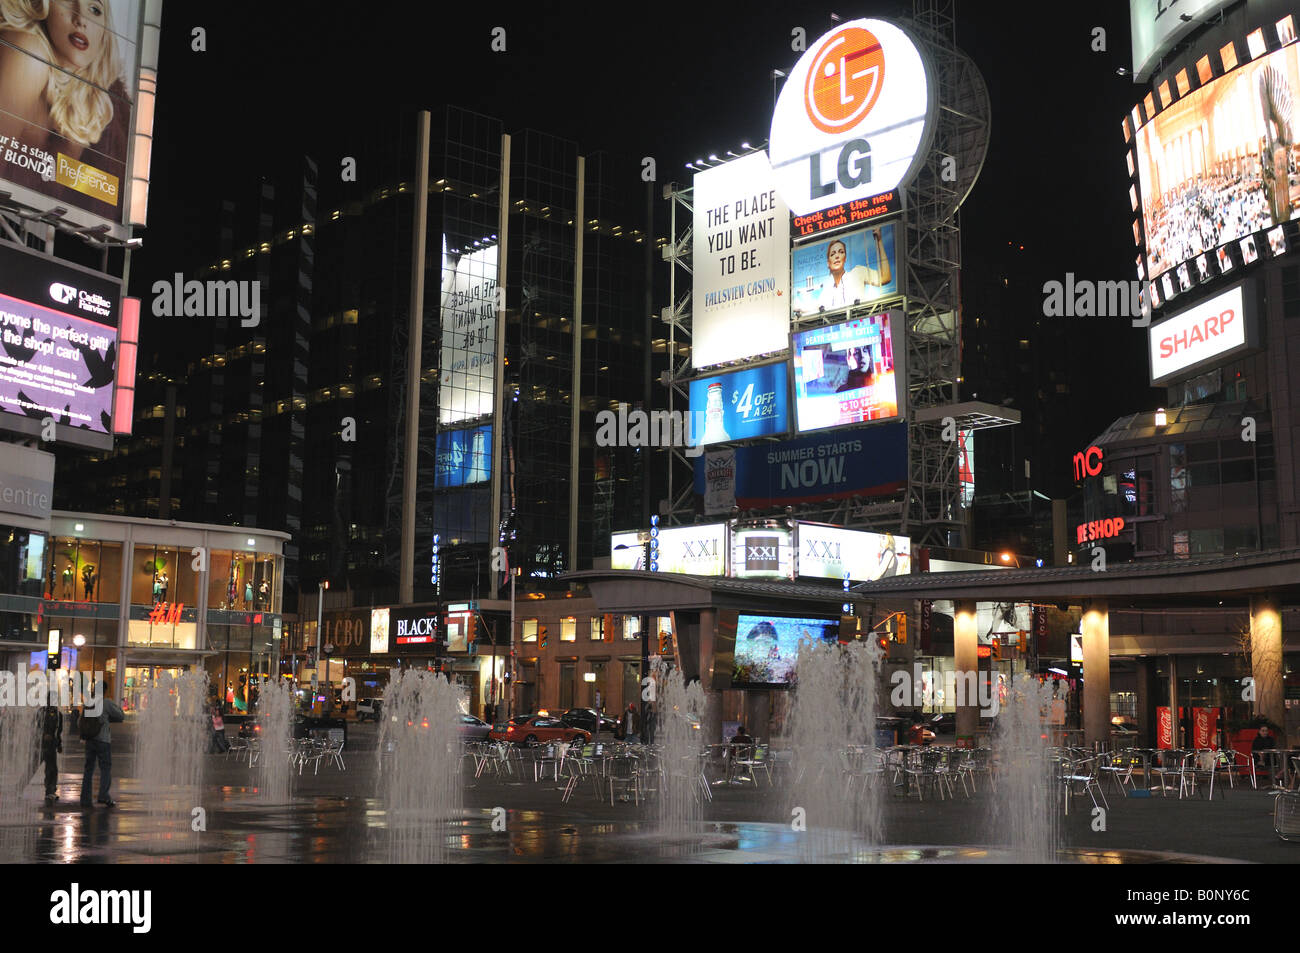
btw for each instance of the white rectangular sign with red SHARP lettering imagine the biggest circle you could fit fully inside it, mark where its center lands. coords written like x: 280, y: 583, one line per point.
x: 1203, y: 336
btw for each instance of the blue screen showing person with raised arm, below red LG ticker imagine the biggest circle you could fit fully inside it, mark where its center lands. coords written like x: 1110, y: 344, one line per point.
x: 837, y: 274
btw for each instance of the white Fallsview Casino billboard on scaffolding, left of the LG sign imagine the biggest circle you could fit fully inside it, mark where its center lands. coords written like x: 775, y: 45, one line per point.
x: 740, y: 257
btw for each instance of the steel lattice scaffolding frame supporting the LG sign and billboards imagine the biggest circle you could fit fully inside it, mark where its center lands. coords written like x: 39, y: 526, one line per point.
x: 930, y: 258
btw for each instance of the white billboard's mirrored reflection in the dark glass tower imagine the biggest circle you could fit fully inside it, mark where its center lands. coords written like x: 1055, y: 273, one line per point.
x: 469, y: 352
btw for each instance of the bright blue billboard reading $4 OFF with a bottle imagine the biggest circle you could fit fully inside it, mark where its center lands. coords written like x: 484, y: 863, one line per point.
x: 740, y: 405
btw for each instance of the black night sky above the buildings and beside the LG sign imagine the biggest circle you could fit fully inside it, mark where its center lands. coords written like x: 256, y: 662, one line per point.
x: 662, y: 80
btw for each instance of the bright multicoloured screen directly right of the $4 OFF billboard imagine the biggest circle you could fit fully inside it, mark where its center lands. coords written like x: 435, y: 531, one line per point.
x: 844, y: 374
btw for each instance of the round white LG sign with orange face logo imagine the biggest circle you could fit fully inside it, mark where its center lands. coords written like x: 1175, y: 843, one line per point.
x: 852, y: 119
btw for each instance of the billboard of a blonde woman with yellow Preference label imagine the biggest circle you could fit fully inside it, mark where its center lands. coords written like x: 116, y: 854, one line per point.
x: 67, y: 102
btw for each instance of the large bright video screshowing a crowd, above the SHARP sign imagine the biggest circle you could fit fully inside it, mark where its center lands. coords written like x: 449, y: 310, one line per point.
x: 1219, y: 164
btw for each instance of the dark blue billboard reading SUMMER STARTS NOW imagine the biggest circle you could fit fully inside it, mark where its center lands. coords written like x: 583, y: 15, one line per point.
x: 869, y: 462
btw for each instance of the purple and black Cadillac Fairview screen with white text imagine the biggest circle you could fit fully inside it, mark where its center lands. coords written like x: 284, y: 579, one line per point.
x: 58, y: 343
